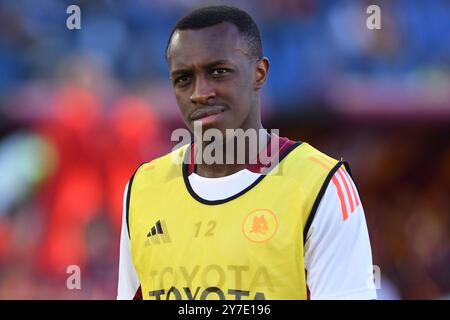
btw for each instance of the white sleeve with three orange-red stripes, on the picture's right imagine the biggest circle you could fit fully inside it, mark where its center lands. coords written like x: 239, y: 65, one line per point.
x: 338, y: 255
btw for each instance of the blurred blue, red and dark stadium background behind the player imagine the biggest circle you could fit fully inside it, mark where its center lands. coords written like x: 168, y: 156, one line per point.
x: 80, y: 109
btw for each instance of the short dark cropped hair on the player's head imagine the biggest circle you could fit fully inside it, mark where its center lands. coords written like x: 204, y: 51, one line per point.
x: 213, y: 15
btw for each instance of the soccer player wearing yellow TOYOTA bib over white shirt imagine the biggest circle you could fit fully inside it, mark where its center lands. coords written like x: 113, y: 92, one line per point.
x: 201, y: 230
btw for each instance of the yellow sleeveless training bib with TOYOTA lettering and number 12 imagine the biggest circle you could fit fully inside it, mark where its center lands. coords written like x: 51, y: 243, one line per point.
x: 250, y: 246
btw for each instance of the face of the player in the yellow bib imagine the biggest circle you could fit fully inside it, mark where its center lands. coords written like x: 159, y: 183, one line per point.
x: 214, y: 78
